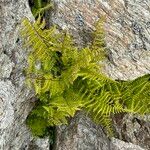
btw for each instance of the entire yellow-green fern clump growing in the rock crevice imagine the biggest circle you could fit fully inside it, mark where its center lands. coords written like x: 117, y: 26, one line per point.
x: 66, y: 79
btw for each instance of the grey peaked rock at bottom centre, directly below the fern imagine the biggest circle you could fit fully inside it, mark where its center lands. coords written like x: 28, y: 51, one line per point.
x: 81, y: 134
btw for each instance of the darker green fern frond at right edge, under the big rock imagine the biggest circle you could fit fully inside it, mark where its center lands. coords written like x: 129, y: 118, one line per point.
x: 136, y: 95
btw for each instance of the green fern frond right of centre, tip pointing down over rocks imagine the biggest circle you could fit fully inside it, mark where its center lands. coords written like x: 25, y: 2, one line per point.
x: 102, y: 98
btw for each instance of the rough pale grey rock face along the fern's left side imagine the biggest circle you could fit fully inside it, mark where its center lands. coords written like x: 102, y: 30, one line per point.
x: 15, y: 98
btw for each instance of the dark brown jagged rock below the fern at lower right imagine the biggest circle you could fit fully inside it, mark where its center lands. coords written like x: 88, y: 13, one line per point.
x: 134, y: 129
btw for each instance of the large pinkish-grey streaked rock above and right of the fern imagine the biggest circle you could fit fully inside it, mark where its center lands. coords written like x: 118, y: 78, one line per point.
x: 127, y: 31
